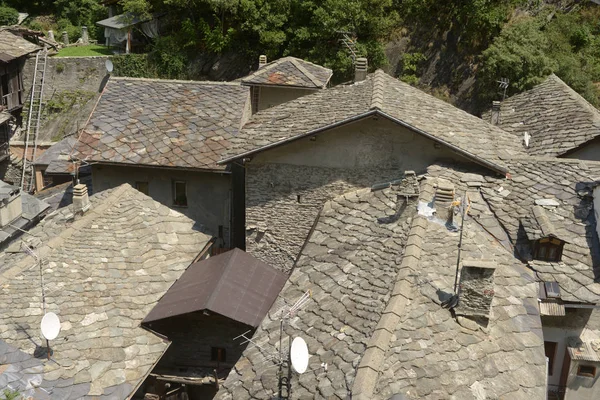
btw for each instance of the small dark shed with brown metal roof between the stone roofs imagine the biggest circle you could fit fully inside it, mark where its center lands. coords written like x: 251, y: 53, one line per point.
x: 212, y: 303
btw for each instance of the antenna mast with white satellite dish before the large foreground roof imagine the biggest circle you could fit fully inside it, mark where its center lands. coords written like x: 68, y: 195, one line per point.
x: 295, y: 357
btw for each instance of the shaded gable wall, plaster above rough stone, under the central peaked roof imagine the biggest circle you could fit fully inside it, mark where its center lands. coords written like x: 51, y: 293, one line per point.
x: 343, y: 159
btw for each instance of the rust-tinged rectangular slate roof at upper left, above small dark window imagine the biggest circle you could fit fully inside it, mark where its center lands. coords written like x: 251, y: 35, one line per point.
x: 164, y: 123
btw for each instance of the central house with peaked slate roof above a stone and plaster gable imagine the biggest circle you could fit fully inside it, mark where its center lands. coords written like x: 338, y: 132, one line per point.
x: 300, y: 154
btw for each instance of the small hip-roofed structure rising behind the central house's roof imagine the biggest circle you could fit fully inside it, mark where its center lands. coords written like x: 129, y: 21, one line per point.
x: 283, y: 80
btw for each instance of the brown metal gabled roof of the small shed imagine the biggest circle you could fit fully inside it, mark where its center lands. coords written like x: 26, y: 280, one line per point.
x: 233, y: 284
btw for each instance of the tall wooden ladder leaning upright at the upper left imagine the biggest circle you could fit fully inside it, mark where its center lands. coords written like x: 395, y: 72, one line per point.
x: 33, y: 118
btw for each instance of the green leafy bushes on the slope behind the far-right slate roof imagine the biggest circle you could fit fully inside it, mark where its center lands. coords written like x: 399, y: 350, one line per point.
x: 532, y: 48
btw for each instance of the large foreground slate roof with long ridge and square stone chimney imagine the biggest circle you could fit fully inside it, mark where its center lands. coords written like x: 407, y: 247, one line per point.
x: 376, y: 270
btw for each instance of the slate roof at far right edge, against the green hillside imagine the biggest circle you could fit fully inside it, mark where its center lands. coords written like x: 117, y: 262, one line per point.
x: 557, y: 118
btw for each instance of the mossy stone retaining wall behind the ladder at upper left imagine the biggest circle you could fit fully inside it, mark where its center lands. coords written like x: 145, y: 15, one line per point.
x: 72, y: 85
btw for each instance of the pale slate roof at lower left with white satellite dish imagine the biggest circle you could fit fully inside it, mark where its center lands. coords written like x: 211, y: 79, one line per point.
x: 103, y: 272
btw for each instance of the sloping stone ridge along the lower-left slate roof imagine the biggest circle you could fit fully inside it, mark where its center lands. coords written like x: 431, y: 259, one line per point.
x: 65, y: 234
